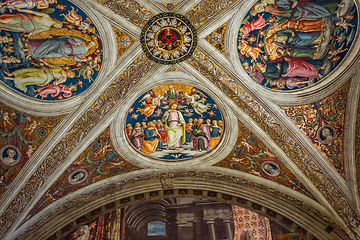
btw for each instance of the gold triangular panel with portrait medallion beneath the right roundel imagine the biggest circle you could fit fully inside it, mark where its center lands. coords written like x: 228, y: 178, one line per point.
x: 323, y: 122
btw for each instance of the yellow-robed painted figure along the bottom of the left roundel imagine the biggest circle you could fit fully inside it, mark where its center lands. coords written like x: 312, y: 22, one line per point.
x: 38, y: 76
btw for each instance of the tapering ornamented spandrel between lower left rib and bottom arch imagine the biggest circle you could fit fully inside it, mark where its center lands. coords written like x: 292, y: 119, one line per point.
x: 98, y: 162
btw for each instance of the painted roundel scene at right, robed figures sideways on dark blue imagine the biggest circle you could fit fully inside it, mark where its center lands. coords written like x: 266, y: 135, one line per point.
x: 291, y: 44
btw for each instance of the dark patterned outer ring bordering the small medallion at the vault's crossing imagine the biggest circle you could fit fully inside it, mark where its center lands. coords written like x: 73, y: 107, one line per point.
x: 151, y: 21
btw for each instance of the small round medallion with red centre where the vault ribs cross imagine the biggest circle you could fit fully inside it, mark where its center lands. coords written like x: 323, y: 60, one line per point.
x: 168, y: 38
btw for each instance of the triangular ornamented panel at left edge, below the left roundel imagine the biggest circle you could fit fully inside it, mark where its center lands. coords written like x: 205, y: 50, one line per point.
x: 20, y: 135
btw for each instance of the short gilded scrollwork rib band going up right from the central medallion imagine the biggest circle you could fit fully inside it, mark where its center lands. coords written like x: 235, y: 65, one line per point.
x: 205, y: 10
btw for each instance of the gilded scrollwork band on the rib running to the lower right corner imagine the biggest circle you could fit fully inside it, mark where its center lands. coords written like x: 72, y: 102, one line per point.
x: 210, y: 70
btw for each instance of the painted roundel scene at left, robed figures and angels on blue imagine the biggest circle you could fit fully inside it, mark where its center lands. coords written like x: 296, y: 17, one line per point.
x: 49, y: 50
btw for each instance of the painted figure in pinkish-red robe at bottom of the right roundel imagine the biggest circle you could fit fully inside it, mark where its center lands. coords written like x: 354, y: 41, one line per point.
x: 291, y: 67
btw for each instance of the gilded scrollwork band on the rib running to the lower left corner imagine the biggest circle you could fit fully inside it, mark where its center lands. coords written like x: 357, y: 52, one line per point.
x: 87, y: 121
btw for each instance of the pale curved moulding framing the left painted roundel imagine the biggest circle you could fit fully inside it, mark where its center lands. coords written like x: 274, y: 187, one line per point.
x: 38, y: 107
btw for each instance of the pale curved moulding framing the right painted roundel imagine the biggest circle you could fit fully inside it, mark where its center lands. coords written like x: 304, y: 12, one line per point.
x: 315, y: 92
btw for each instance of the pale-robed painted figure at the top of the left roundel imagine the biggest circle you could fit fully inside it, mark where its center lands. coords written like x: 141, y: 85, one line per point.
x: 28, y: 24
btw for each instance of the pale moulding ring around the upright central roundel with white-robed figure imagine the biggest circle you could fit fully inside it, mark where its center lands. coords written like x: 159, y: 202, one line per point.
x: 128, y: 152
